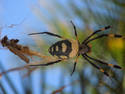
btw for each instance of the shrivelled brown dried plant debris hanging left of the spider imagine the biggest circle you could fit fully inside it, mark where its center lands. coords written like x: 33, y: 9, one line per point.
x: 18, y: 49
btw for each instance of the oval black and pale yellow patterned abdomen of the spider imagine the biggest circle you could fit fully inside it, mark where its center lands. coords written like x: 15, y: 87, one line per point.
x: 64, y: 49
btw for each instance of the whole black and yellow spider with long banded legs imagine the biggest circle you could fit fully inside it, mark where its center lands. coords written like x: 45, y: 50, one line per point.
x: 69, y: 48
